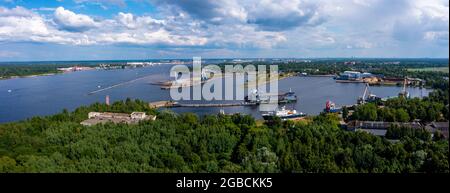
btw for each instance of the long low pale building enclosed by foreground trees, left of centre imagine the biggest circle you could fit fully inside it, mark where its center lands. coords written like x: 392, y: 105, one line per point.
x: 133, y: 118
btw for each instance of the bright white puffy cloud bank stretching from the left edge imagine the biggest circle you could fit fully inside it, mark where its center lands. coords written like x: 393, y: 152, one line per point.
x: 20, y: 24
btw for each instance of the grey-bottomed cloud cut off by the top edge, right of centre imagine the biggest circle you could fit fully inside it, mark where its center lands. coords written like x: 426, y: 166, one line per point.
x: 272, y: 15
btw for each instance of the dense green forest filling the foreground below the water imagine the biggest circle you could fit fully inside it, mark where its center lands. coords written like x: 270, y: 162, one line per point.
x: 213, y: 143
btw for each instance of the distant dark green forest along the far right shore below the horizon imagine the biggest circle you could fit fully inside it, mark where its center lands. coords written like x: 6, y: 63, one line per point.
x: 394, y: 68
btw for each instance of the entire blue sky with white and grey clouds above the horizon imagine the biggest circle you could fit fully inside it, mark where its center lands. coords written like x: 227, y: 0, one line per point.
x: 49, y: 30
